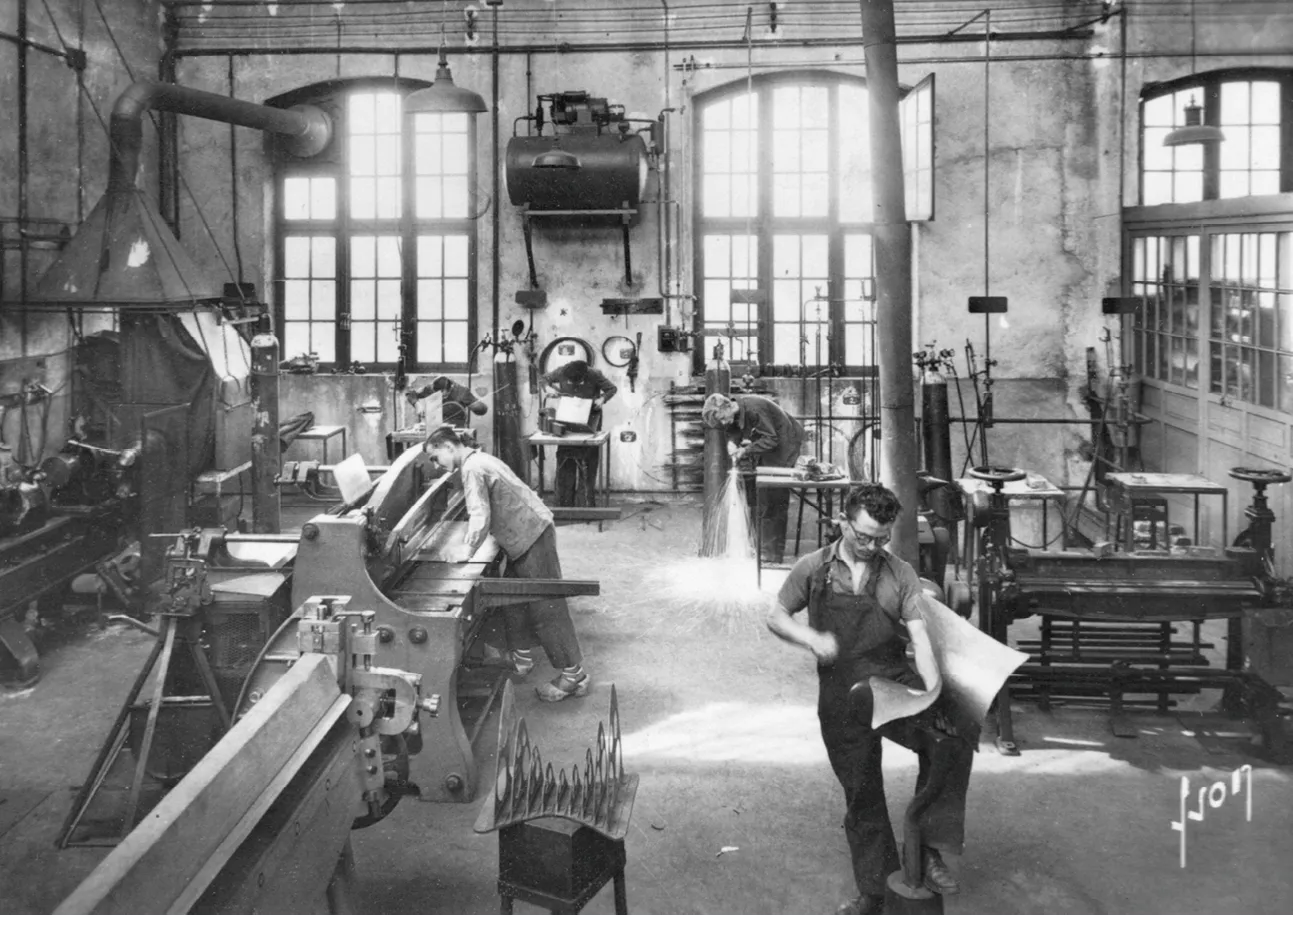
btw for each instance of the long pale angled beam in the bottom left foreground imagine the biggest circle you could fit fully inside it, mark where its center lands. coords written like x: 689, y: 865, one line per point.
x: 147, y: 873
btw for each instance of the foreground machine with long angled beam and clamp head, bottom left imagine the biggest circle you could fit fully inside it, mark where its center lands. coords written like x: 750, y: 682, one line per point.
x: 262, y: 825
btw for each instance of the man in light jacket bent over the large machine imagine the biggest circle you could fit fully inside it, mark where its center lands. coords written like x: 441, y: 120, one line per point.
x: 500, y: 505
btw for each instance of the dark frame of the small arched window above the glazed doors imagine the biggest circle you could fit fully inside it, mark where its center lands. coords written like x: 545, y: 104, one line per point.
x: 1210, y: 87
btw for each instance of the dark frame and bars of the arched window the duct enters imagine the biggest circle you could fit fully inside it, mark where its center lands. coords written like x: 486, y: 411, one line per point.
x: 334, y: 162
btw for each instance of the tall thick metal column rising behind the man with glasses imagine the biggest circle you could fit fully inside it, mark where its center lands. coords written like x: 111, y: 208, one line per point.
x: 899, y: 463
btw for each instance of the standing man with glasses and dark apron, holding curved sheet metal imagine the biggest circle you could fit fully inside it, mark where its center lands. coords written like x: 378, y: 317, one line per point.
x: 866, y: 621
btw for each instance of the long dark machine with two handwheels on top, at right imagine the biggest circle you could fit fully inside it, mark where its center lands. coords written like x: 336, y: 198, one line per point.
x: 1109, y: 617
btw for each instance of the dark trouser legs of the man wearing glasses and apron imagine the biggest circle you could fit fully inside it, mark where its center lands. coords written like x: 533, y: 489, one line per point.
x: 941, y: 790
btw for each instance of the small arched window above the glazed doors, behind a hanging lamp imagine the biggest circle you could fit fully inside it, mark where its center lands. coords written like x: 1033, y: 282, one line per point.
x: 1255, y: 110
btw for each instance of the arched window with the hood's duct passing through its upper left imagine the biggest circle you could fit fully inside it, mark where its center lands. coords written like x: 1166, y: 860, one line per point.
x: 376, y: 237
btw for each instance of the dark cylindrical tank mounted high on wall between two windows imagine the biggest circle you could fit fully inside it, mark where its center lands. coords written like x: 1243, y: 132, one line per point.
x: 612, y: 173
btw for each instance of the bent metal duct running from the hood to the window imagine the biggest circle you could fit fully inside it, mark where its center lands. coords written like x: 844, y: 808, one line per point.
x: 307, y: 126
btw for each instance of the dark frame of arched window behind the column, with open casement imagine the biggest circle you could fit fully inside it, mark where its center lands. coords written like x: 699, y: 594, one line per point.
x: 765, y: 225
